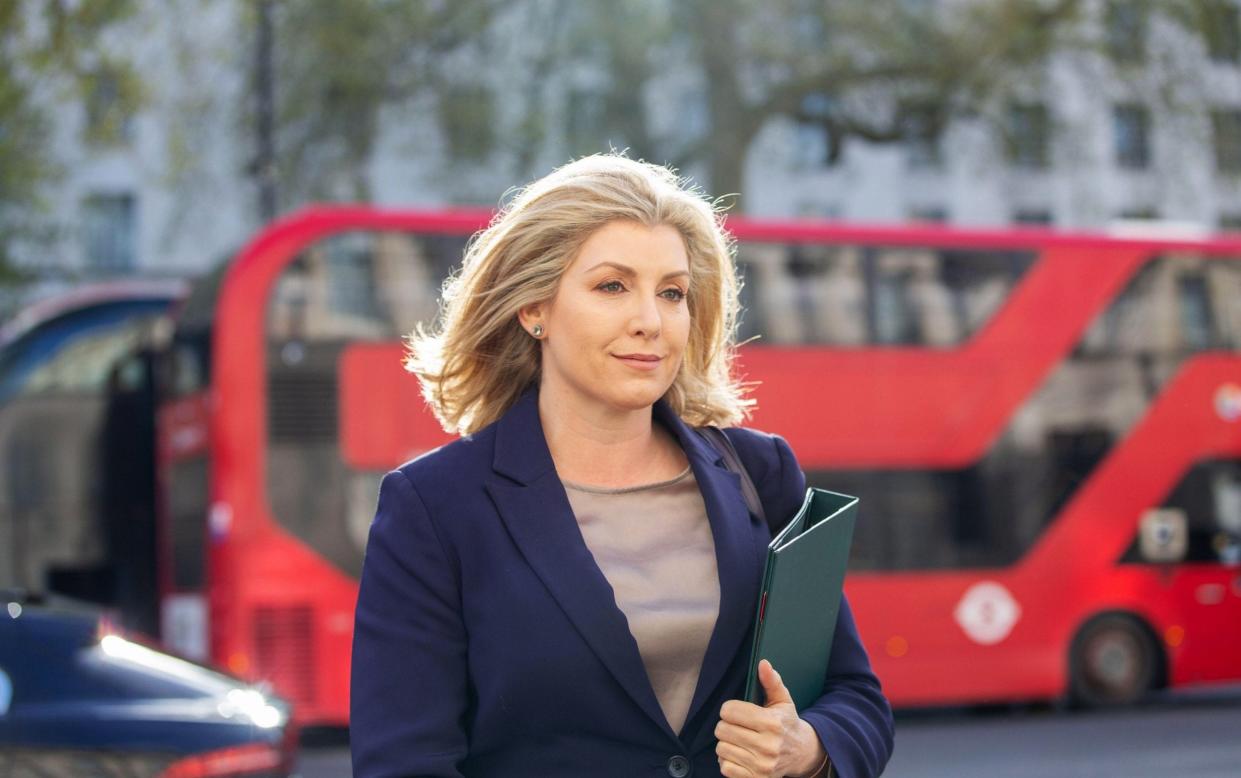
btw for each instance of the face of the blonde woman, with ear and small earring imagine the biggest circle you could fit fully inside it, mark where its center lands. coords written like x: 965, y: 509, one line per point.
x: 616, y: 332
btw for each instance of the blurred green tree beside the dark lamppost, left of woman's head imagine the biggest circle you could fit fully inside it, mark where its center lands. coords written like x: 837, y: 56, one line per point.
x: 338, y: 65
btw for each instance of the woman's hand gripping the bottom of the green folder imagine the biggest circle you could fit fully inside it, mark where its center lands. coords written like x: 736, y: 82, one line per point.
x: 761, y: 743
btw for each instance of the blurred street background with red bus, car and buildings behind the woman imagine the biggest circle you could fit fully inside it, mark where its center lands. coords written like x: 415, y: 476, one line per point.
x: 992, y: 262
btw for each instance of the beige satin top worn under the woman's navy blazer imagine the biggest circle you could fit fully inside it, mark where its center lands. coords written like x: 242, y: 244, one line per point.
x: 655, y: 547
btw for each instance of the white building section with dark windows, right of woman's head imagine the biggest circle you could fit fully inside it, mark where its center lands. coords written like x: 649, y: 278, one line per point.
x: 1089, y: 143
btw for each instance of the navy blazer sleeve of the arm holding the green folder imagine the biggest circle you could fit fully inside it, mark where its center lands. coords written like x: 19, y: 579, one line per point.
x: 853, y: 718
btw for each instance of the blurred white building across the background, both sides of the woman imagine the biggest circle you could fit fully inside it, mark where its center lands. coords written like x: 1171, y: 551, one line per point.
x: 1086, y: 147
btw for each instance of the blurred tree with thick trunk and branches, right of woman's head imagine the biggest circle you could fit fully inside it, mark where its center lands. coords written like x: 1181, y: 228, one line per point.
x: 857, y: 66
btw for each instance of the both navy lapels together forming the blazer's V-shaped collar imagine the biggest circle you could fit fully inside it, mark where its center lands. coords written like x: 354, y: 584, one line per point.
x: 535, y: 509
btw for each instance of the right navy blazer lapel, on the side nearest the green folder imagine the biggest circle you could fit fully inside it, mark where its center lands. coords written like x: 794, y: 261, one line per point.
x: 740, y: 552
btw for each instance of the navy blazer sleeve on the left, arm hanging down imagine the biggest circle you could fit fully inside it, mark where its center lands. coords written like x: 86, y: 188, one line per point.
x: 409, y: 691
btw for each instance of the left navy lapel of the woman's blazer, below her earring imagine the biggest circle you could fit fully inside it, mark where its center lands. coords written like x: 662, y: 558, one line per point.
x: 534, y: 508
